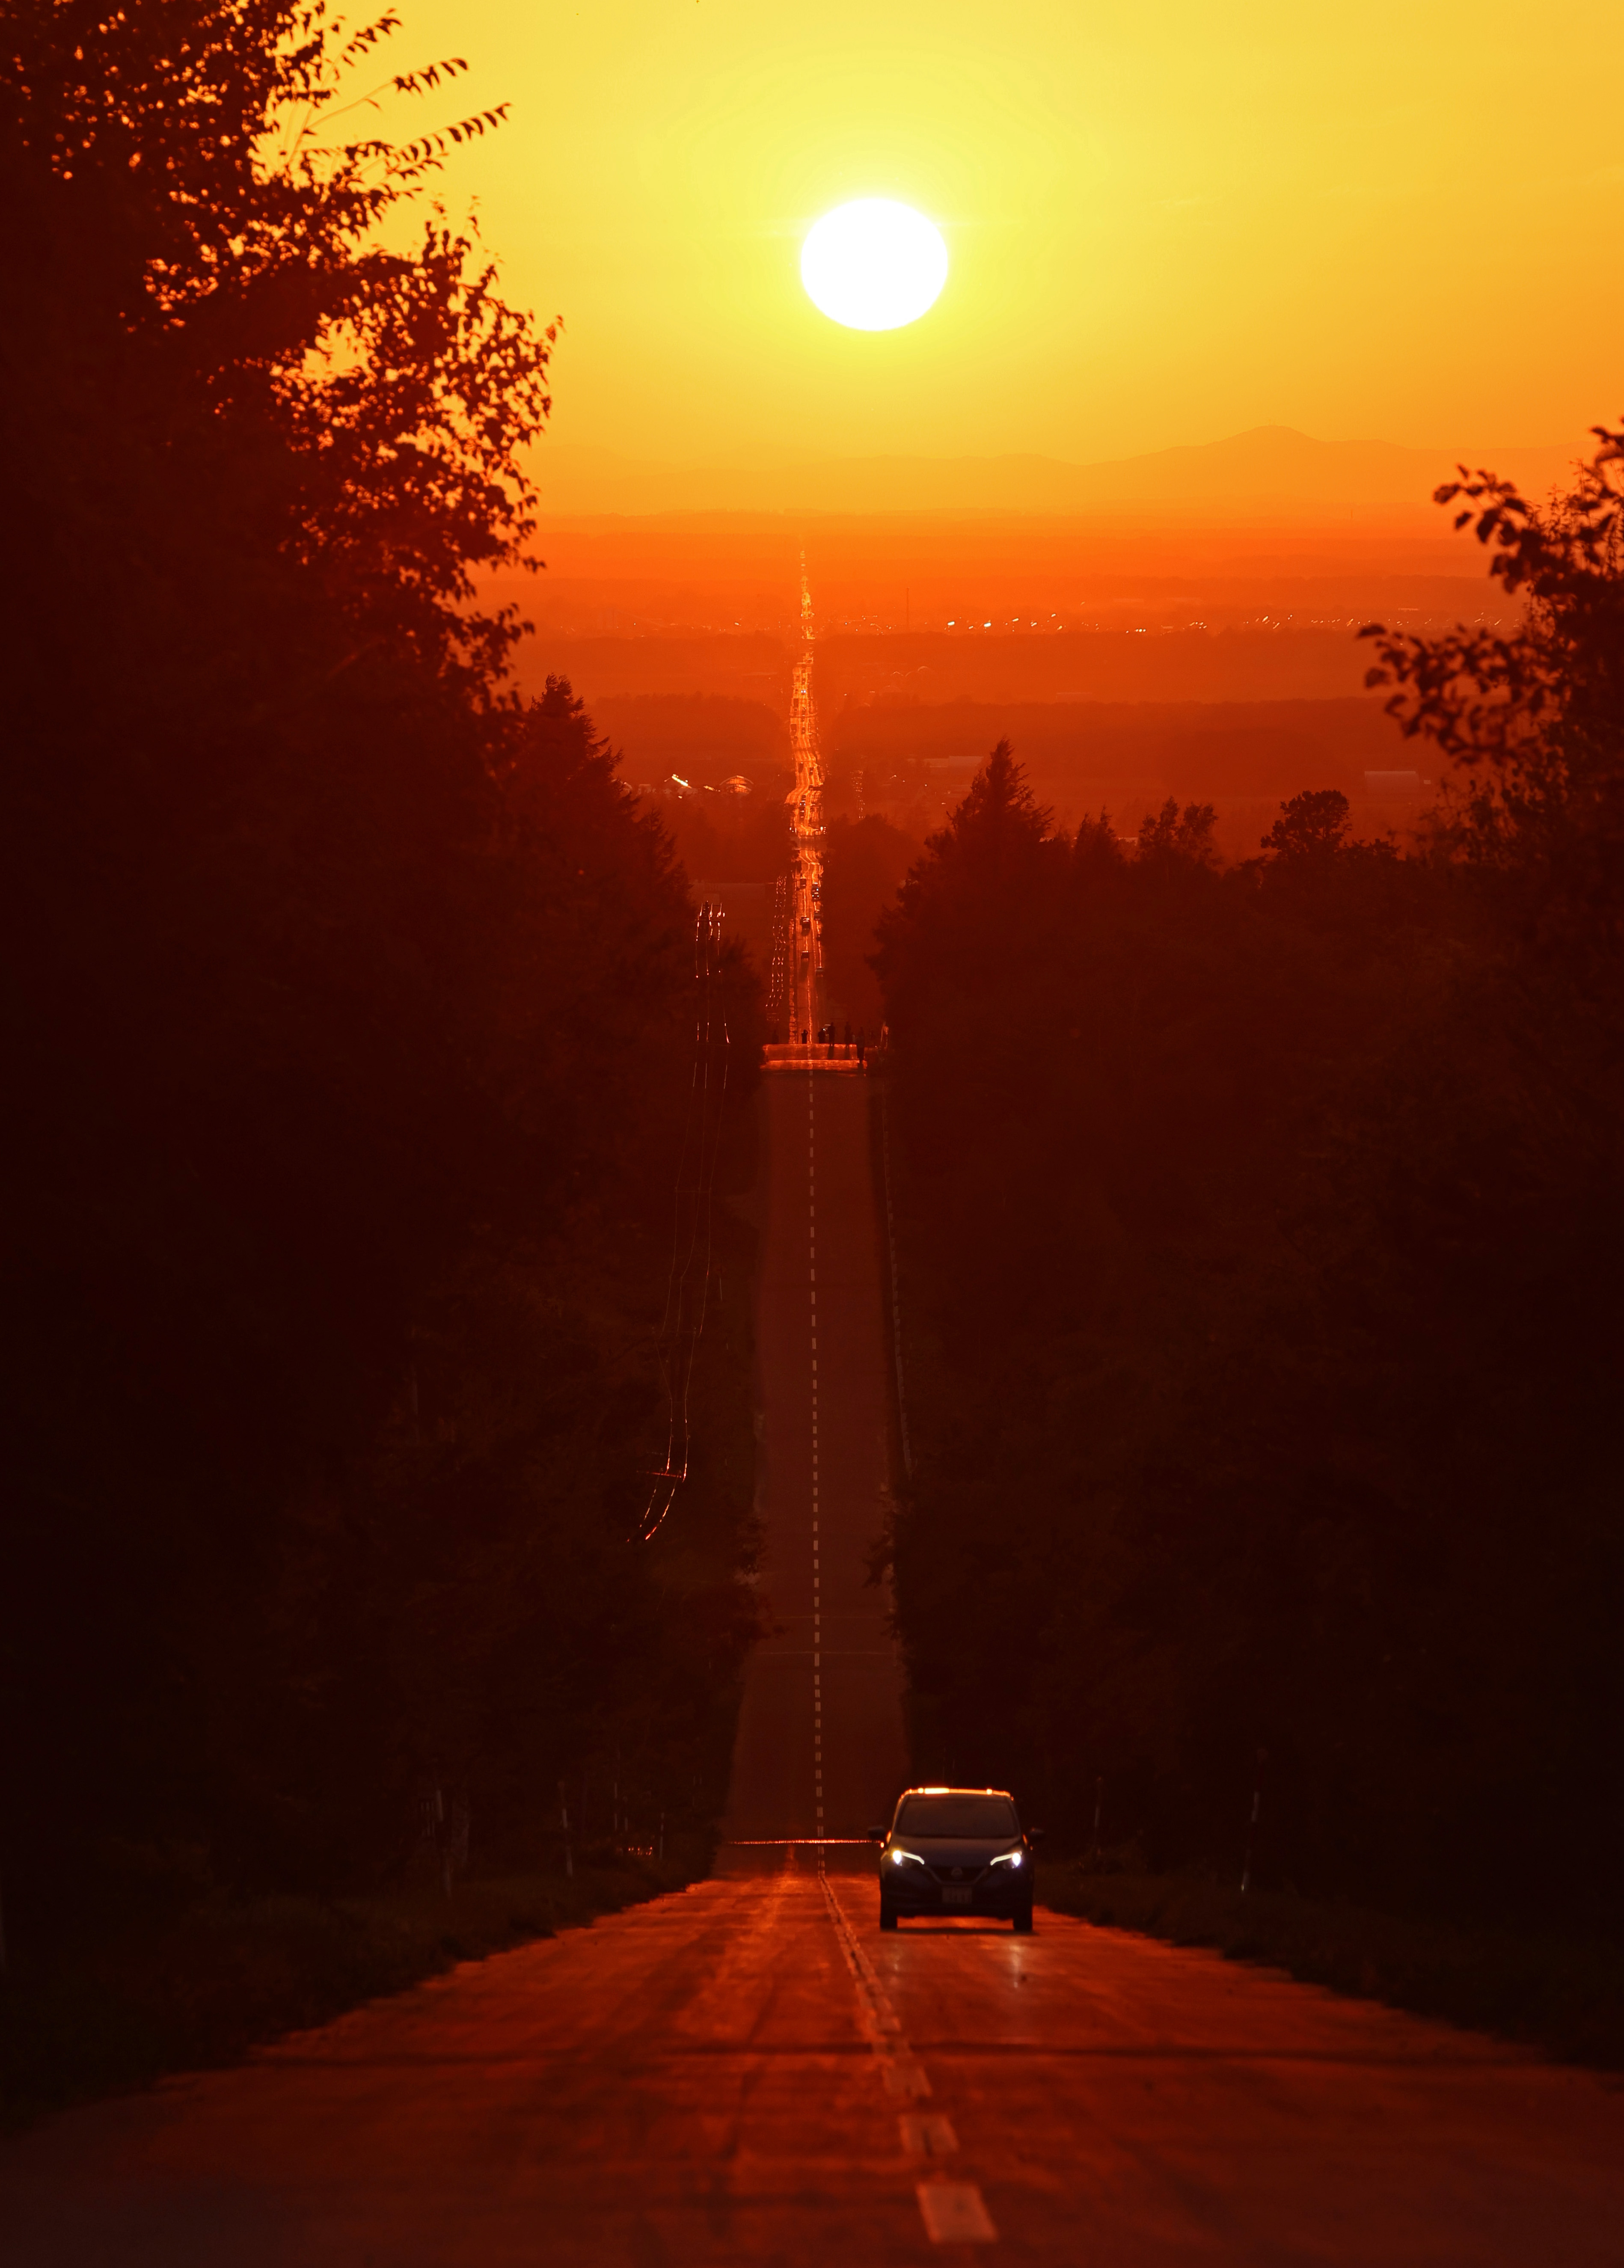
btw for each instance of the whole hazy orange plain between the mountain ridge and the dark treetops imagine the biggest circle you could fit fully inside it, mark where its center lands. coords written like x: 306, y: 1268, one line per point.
x: 1128, y: 657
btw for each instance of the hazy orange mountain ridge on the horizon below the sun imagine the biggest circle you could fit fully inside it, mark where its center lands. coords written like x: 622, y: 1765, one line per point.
x: 1271, y: 468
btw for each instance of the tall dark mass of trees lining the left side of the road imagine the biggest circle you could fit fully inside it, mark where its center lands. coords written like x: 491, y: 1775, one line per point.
x: 353, y: 1022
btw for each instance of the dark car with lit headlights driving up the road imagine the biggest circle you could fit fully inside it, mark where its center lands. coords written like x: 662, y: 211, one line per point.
x: 956, y: 1852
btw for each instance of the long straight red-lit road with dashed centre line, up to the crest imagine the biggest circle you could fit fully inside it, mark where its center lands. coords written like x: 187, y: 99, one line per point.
x: 750, y: 2072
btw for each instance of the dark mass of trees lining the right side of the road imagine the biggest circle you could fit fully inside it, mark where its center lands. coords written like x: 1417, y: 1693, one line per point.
x: 1262, y: 1239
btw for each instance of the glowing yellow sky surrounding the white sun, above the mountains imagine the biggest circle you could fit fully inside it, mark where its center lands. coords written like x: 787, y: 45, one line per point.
x: 1169, y: 221
